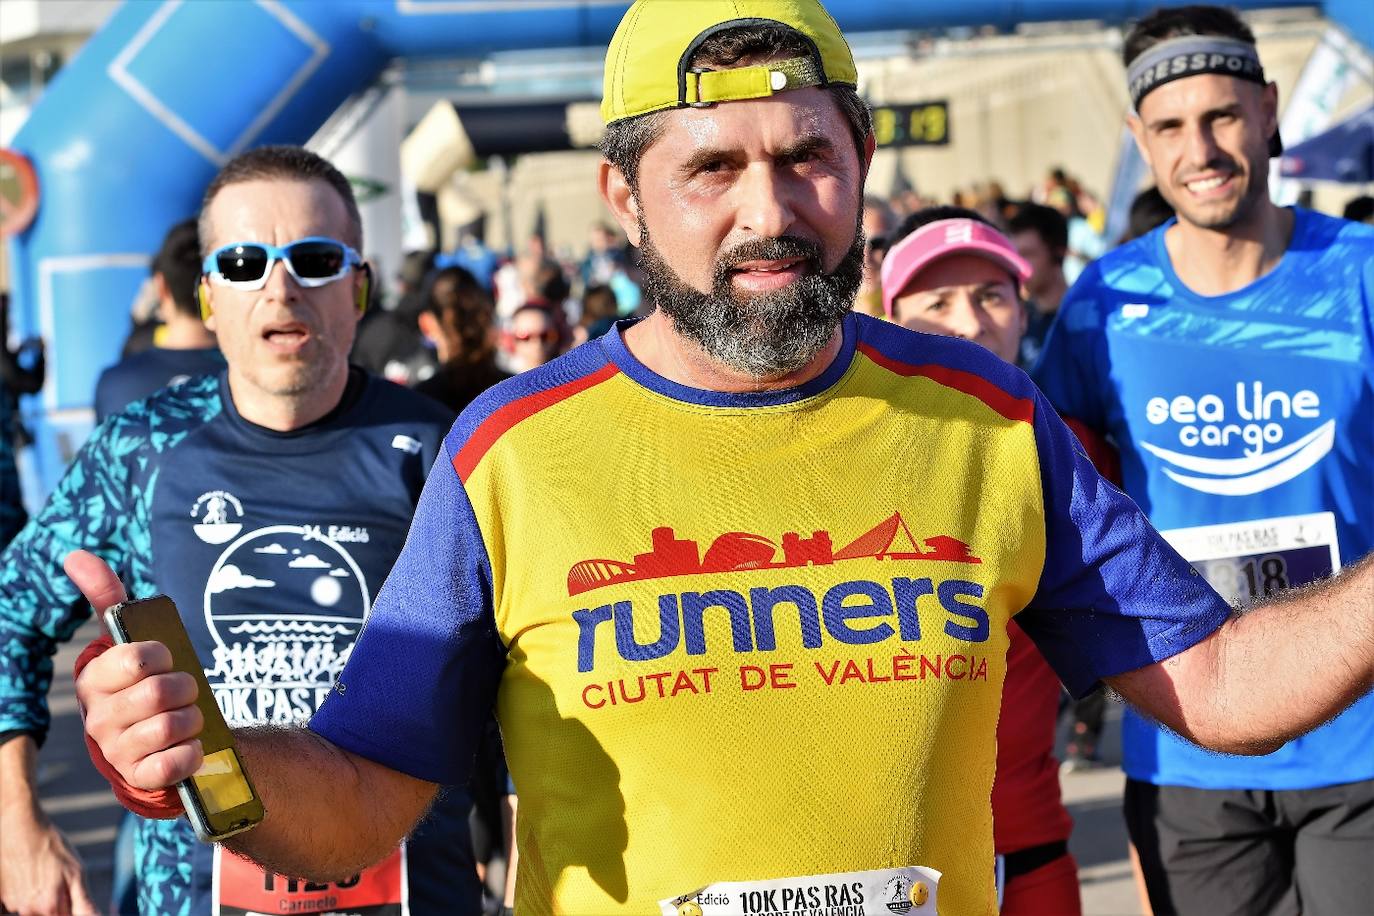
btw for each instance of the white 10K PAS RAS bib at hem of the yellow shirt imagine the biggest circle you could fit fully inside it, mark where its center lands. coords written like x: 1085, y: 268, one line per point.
x: 906, y: 892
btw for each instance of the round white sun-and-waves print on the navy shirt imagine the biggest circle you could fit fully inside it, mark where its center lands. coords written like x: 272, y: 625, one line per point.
x: 285, y: 605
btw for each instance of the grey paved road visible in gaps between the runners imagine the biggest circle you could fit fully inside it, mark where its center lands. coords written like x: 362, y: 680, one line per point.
x: 82, y: 805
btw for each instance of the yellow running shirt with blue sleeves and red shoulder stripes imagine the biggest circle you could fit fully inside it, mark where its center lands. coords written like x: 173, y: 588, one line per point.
x: 752, y: 637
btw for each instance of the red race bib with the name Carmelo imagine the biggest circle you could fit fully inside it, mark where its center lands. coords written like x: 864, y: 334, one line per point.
x: 244, y: 889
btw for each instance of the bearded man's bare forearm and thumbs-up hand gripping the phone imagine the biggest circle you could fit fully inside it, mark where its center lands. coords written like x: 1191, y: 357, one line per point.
x: 329, y: 812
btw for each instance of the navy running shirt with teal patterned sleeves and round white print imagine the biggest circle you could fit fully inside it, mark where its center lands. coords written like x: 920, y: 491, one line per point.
x: 273, y: 546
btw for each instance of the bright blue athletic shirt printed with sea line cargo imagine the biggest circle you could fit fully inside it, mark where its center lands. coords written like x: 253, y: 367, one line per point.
x: 1250, y: 407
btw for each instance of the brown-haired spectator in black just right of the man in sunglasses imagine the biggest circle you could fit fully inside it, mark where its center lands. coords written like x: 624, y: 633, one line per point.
x: 458, y: 321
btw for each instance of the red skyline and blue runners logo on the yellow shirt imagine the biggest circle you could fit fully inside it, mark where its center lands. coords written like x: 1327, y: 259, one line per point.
x: 854, y: 613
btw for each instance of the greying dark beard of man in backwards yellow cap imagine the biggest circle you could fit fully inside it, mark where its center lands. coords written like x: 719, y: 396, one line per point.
x: 766, y: 336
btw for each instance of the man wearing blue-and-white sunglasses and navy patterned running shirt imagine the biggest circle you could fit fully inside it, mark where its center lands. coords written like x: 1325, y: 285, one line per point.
x: 270, y: 503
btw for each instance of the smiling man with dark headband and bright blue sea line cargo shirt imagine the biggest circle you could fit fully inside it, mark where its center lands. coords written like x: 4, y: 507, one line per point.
x: 1229, y: 355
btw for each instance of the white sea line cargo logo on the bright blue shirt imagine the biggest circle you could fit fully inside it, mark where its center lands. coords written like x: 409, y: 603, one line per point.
x: 1270, y: 428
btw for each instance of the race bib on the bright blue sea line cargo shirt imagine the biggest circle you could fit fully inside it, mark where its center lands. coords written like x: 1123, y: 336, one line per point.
x: 1248, y: 561
